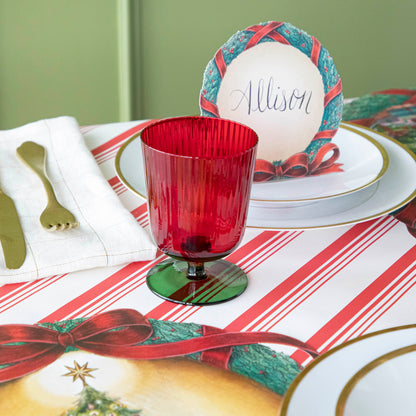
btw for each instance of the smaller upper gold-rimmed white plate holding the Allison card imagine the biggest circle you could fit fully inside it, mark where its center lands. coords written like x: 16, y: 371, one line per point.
x: 363, y: 162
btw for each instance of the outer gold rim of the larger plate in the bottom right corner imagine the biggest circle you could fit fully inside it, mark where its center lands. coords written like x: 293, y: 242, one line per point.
x: 292, y: 388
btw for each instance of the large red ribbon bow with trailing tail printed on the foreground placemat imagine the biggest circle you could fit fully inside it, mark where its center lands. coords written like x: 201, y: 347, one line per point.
x: 117, y: 333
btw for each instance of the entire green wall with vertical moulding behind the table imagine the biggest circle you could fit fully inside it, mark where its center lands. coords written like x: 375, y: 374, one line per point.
x: 66, y: 56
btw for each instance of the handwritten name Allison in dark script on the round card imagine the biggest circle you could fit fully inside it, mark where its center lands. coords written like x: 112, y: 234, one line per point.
x: 269, y: 96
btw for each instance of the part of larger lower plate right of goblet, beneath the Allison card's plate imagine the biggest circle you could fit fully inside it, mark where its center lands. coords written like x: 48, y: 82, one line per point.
x: 393, y: 190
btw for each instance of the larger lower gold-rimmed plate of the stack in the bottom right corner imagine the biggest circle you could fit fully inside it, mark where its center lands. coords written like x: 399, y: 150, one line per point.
x: 318, y: 389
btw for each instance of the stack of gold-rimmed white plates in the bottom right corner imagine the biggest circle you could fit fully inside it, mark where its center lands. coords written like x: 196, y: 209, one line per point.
x: 372, y: 375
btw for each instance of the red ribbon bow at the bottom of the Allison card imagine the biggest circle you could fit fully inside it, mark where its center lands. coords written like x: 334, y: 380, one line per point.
x: 298, y: 165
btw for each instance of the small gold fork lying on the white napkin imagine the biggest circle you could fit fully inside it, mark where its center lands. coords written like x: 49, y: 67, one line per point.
x: 55, y: 216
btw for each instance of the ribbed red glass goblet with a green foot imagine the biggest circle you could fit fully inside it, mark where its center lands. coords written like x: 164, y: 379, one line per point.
x: 199, y: 172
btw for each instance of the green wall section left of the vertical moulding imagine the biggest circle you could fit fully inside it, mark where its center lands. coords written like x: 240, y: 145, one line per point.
x: 58, y: 58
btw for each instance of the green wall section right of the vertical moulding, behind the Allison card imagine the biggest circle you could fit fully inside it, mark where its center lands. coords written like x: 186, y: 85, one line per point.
x: 372, y: 43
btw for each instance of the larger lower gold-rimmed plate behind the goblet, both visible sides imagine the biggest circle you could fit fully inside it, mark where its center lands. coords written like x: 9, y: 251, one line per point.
x: 383, y: 196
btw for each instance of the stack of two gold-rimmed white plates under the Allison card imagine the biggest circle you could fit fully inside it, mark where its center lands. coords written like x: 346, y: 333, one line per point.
x: 378, y: 177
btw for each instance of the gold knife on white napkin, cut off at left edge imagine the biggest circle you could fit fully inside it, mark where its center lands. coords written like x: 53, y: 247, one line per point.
x: 11, y: 233
